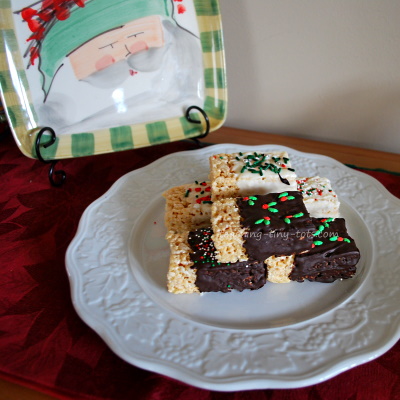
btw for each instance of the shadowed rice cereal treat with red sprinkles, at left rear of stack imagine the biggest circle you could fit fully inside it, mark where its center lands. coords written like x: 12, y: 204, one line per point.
x: 188, y: 207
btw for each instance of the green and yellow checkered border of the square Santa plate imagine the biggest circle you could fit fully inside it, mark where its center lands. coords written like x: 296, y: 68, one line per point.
x: 22, y: 117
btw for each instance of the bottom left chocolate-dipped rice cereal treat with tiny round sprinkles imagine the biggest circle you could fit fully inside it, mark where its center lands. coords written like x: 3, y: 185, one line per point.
x: 194, y: 268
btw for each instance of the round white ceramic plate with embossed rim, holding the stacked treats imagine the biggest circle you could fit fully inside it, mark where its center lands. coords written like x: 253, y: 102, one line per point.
x: 281, y: 336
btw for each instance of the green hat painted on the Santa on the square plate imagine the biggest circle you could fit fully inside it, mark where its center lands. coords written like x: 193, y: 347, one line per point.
x: 84, y: 23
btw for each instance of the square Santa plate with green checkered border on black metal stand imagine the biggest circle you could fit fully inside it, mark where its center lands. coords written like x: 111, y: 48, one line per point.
x: 110, y: 76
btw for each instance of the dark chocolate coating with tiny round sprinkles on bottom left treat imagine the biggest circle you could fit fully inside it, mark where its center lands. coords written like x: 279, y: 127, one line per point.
x: 213, y: 276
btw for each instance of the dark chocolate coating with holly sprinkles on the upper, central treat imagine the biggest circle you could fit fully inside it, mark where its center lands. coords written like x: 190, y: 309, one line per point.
x: 279, y: 238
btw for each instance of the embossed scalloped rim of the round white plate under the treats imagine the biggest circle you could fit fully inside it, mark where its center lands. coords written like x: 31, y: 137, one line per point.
x: 318, y: 352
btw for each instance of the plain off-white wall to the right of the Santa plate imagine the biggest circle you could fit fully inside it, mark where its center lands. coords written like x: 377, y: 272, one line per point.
x: 319, y: 69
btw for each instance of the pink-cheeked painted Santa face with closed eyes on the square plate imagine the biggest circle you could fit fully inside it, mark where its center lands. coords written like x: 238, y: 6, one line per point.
x: 116, y: 45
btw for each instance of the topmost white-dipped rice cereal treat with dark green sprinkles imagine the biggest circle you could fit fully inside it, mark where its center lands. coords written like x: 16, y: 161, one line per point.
x: 244, y: 174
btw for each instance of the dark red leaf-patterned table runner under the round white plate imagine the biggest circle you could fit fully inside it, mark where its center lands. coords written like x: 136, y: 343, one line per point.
x: 46, y: 346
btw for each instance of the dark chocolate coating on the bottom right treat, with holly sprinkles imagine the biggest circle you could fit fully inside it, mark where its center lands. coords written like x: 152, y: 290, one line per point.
x: 330, y: 260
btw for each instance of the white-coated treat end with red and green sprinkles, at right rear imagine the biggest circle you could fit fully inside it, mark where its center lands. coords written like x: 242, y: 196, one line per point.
x: 318, y: 196
